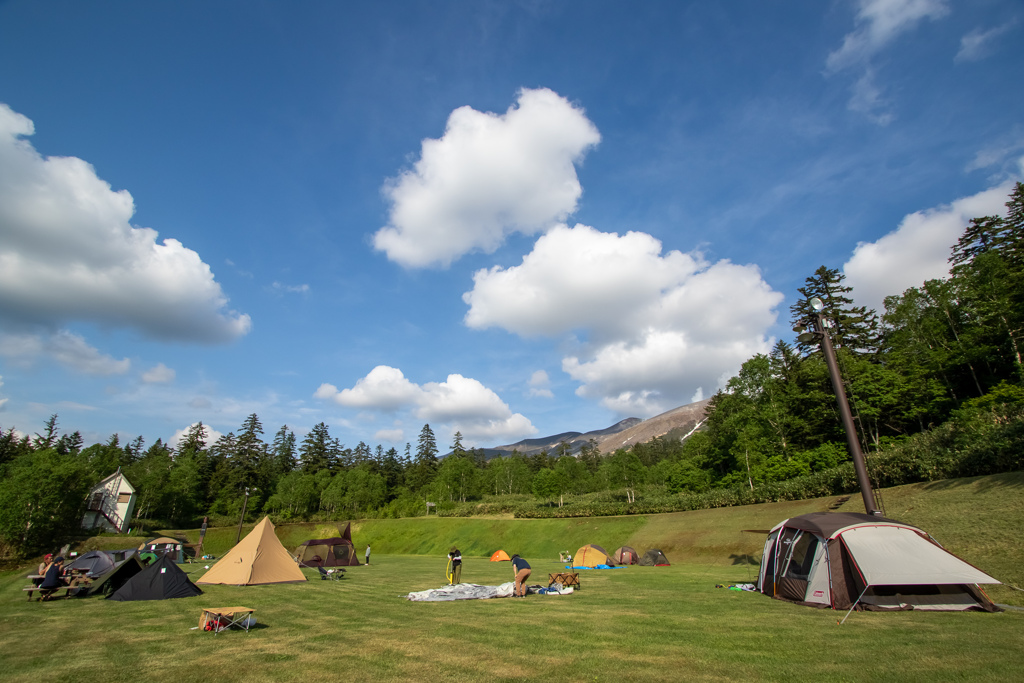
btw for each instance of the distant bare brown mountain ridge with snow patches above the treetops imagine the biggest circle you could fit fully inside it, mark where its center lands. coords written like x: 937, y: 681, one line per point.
x: 623, y: 435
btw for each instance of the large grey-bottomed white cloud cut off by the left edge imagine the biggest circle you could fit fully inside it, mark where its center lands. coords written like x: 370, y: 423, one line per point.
x: 68, y: 252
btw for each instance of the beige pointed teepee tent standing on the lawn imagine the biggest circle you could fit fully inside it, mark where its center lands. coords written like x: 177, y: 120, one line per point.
x: 260, y: 559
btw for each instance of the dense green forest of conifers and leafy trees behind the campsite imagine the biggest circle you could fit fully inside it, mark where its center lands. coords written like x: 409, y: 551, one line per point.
x: 935, y: 387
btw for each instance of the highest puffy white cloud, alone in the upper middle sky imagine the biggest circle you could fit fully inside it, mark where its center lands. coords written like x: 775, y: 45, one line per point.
x: 489, y: 177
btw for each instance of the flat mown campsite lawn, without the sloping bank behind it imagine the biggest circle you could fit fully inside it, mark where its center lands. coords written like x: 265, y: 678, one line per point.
x: 632, y: 624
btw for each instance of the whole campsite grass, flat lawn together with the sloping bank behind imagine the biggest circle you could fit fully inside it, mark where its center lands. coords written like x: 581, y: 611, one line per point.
x: 632, y: 624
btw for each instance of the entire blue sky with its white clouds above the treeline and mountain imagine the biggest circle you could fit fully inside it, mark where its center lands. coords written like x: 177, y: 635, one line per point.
x: 505, y: 219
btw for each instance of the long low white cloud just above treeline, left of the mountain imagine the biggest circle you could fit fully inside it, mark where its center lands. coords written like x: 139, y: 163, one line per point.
x: 461, y: 404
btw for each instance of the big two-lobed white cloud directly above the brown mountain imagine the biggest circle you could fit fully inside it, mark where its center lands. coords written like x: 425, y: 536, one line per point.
x: 661, y: 329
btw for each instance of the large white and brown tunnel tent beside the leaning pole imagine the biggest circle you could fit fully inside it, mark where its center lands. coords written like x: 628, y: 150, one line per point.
x: 846, y: 561
